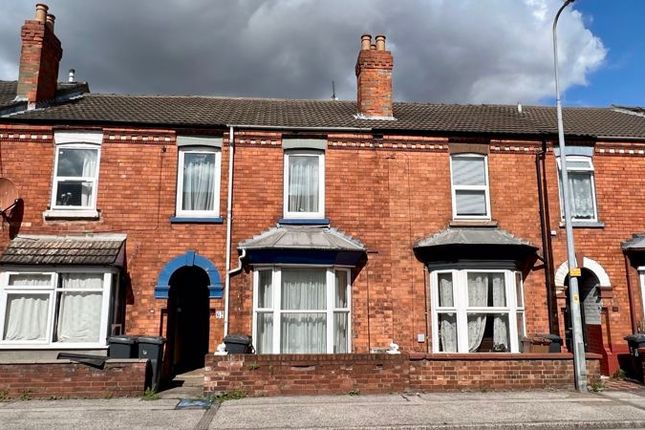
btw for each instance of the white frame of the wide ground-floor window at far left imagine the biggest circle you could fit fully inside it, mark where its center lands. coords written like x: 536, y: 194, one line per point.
x: 53, y: 291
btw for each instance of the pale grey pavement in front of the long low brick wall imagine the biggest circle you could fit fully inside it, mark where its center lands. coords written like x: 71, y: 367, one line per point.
x: 432, y: 411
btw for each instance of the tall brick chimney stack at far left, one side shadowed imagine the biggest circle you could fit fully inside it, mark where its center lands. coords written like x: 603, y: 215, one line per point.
x: 39, y: 58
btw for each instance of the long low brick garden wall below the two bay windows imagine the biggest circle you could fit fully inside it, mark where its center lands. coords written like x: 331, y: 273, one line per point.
x: 271, y: 375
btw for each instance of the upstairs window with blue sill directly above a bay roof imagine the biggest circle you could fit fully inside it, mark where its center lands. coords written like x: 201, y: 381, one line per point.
x: 304, y: 184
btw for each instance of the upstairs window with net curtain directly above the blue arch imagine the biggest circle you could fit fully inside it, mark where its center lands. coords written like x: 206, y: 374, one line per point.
x: 198, y: 182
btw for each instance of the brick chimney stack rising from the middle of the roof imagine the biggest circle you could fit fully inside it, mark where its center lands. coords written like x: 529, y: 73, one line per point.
x: 374, y: 78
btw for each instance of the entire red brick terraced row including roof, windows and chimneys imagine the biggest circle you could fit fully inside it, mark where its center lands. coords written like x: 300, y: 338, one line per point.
x: 320, y: 227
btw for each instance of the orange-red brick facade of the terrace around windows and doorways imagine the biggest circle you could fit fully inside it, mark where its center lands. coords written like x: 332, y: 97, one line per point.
x: 387, y: 192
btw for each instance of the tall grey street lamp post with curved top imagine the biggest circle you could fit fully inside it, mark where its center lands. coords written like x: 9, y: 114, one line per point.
x: 580, y: 364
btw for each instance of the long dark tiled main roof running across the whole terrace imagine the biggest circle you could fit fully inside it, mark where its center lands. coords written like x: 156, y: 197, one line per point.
x: 330, y: 114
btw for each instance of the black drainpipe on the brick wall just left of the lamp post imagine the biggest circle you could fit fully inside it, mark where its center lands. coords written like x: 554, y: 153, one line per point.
x: 551, y: 300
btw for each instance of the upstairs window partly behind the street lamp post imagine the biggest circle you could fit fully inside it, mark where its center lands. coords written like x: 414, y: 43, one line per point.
x: 583, y: 192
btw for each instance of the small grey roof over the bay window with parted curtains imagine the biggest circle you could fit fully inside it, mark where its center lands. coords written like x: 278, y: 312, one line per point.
x: 472, y: 236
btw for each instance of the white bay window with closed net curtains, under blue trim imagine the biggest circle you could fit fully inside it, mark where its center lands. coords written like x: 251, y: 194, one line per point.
x: 301, y: 310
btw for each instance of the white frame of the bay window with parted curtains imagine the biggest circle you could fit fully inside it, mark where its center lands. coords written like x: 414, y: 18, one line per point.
x: 461, y: 309
